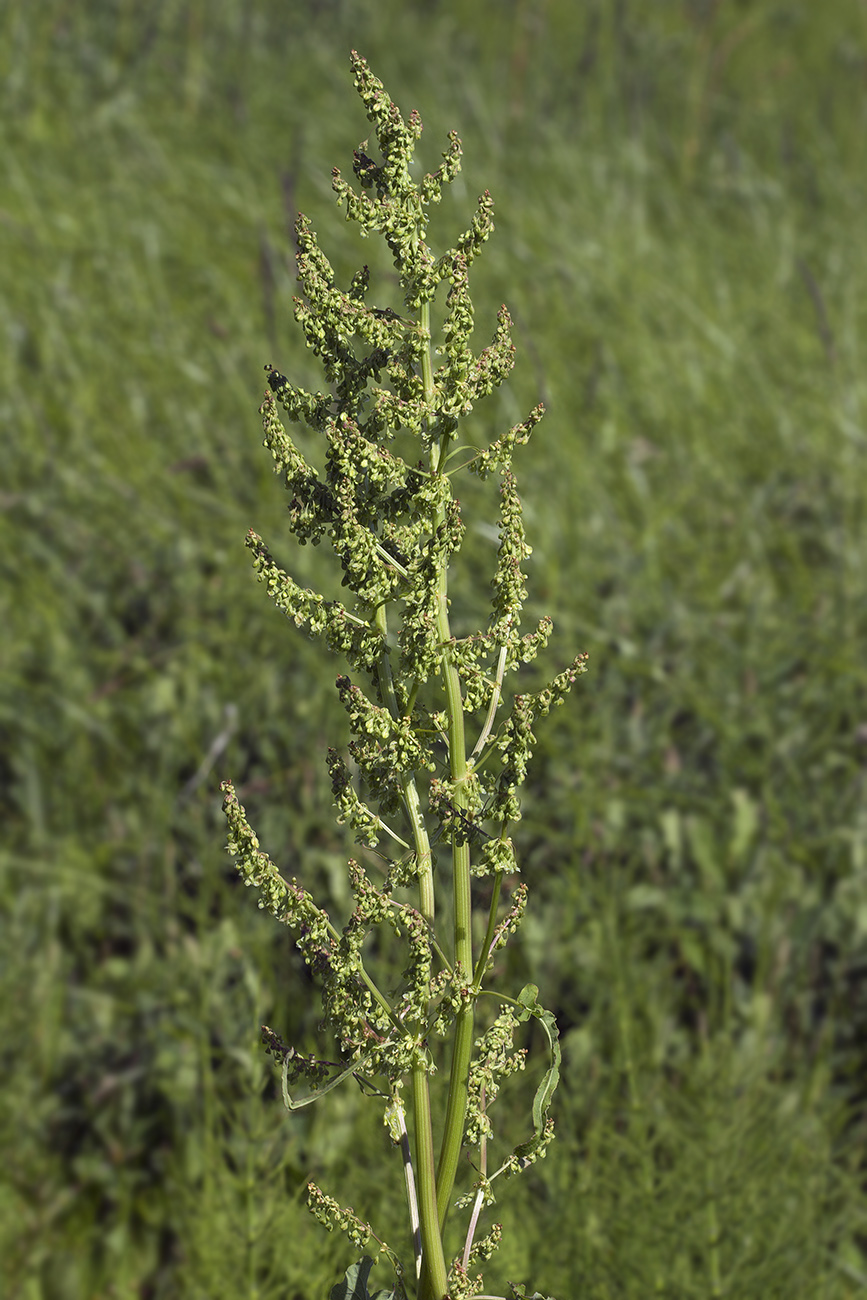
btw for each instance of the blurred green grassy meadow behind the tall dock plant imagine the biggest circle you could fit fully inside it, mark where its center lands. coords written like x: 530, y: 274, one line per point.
x: 680, y: 194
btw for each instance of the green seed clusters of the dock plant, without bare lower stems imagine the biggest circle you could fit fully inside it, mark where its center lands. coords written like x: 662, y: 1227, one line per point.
x: 379, y: 491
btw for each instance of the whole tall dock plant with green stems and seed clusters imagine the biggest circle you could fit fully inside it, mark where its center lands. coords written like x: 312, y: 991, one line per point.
x: 439, y: 743
